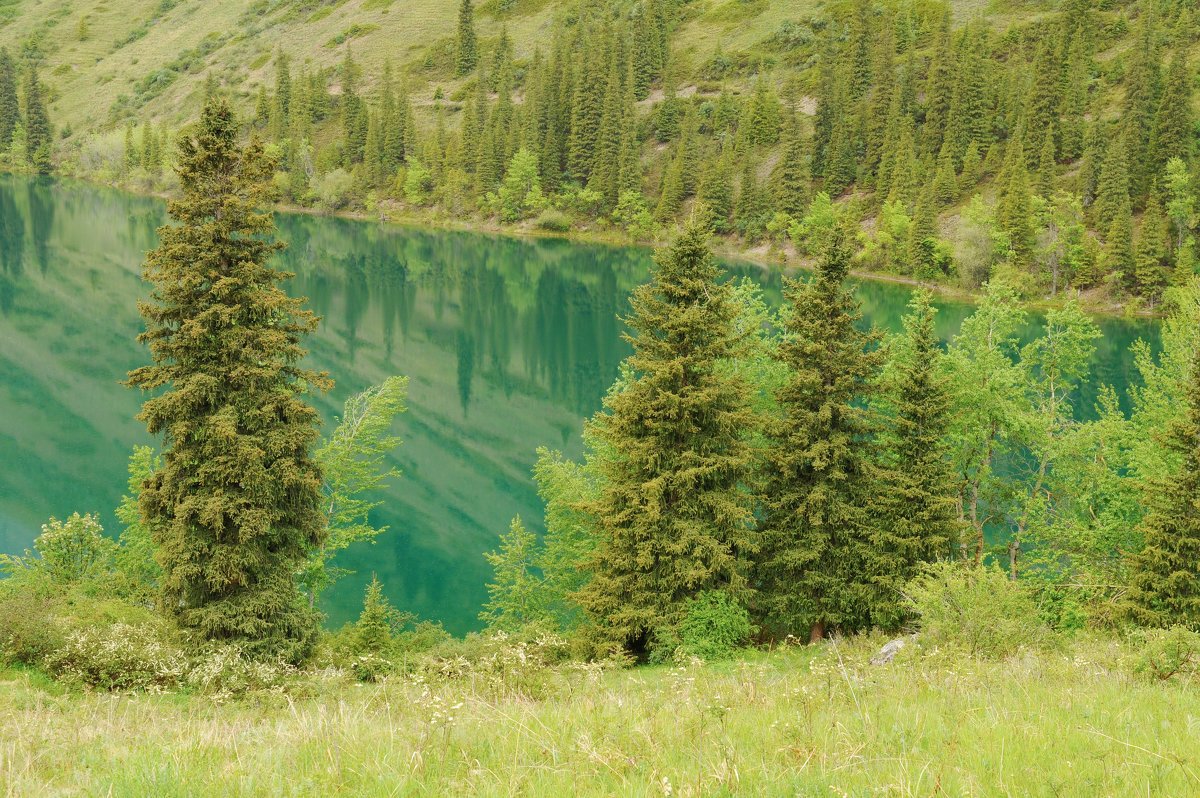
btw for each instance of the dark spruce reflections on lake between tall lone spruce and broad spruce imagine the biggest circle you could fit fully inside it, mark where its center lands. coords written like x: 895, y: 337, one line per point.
x: 541, y: 315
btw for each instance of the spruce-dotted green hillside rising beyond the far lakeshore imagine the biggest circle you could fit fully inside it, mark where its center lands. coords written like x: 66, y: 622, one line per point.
x: 1052, y: 146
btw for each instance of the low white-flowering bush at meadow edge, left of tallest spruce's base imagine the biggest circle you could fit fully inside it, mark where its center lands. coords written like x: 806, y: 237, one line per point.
x: 121, y: 657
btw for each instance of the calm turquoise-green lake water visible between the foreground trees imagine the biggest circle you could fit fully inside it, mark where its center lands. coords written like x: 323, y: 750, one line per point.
x: 508, y: 346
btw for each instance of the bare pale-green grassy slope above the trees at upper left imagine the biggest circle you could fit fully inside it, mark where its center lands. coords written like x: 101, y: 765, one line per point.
x: 149, y: 58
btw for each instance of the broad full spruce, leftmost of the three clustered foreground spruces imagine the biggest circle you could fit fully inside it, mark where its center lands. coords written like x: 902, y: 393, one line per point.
x: 673, y: 517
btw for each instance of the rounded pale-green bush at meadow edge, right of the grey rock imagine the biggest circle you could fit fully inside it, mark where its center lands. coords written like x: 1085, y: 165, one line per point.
x: 980, y: 611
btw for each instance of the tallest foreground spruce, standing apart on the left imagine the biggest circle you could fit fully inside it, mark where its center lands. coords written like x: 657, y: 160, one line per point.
x: 235, y: 508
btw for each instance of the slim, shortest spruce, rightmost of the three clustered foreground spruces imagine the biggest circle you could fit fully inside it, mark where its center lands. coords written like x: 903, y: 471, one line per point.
x: 919, y: 517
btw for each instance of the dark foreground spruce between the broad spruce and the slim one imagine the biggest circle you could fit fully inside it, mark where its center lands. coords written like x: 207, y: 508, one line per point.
x: 819, y: 562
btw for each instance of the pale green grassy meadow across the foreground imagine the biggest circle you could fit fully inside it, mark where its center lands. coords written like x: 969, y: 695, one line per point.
x: 794, y: 722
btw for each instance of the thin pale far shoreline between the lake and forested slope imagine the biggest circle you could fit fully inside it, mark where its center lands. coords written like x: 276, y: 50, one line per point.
x: 722, y: 248
